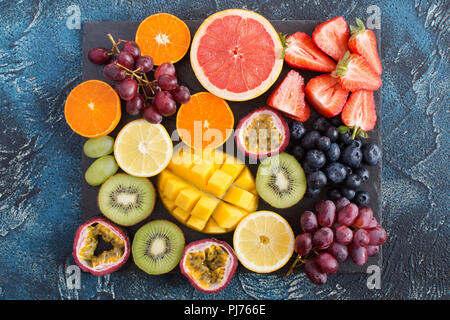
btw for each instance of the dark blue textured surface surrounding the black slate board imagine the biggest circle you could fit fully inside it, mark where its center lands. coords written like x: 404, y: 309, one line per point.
x: 40, y: 174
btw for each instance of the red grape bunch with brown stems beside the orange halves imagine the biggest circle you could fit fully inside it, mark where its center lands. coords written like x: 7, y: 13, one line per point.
x: 153, y: 98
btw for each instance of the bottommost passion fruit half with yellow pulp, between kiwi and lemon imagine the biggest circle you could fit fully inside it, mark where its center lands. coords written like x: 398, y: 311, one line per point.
x: 209, y: 264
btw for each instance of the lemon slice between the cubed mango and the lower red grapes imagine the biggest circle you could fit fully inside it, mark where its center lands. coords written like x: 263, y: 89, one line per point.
x: 263, y: 241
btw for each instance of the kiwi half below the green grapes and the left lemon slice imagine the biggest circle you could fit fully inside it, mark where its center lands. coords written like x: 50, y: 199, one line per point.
x: 126, y: 200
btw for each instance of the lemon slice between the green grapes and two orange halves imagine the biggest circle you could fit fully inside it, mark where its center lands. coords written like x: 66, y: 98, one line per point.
x: 143, y: 149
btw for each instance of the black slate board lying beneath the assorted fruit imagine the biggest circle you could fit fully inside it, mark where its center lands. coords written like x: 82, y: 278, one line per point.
x: 95, y: 35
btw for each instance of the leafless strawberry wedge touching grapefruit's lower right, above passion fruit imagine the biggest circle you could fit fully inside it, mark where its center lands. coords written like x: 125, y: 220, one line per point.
x: 289, y: 97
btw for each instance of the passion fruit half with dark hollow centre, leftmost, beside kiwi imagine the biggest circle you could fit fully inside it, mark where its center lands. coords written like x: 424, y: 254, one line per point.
x: 95, y: 234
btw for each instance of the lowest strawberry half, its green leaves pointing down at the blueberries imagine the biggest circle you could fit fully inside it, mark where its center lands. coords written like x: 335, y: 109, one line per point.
x: 359, y: 113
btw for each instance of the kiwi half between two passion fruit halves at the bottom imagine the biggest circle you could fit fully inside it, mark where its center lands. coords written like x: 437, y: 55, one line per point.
x: 158, y: 246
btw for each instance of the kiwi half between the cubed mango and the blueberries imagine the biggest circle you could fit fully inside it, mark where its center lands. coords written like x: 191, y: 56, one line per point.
x: 281, y: 181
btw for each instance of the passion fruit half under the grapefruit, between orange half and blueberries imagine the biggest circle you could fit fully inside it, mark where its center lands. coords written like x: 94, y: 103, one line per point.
x: 262, y: 133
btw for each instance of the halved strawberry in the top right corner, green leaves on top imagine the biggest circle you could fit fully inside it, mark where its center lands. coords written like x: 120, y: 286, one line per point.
x: 364, y: 43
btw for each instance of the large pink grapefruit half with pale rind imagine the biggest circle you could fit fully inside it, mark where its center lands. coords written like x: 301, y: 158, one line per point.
x: 236, y: 54
